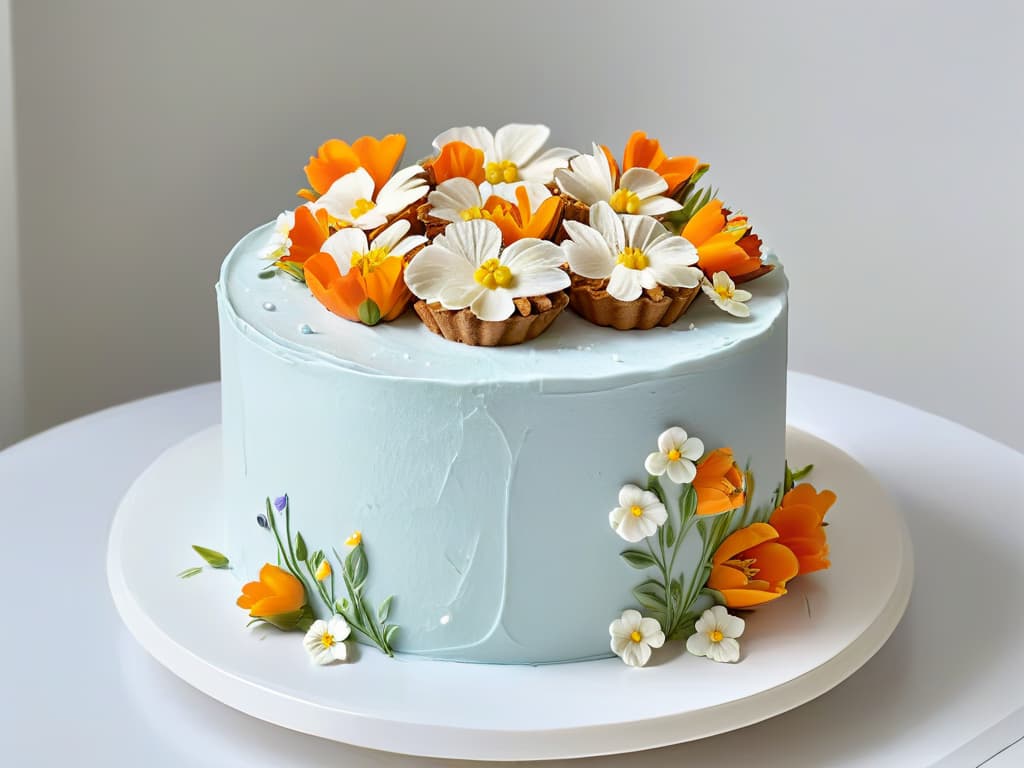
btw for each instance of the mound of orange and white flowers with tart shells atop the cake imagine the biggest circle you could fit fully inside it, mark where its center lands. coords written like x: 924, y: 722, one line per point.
x: 498, y: 227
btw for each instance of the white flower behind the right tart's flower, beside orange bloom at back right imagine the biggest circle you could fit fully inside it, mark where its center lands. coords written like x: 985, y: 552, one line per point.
x: 590, y: 180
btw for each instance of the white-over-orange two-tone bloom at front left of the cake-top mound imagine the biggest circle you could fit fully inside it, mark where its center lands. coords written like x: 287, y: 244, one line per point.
x: 350, y: 272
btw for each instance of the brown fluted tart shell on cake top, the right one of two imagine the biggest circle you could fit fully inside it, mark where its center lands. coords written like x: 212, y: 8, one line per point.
x: 659, y: 307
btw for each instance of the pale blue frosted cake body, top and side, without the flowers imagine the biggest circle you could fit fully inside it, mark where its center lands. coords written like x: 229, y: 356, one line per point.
x: 481, y: 479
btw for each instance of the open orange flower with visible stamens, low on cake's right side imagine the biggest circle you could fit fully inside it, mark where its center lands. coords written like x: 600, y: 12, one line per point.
x: 751, y: 568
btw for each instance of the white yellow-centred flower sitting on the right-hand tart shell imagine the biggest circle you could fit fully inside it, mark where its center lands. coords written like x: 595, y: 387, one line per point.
x: 632, y: 252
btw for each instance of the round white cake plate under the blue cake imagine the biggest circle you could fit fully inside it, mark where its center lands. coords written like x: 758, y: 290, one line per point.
x: 797, y: 649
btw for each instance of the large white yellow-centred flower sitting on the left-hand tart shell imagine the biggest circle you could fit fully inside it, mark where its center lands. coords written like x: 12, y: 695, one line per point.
x: 467, y: 268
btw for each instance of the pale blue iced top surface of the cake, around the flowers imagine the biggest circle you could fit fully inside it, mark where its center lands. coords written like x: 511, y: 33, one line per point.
x: 282, y: 315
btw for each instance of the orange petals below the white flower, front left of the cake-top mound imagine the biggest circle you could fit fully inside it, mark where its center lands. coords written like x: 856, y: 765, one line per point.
x: 344, y: 294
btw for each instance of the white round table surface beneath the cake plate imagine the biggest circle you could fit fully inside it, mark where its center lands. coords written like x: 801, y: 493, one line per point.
x: 947, y: 690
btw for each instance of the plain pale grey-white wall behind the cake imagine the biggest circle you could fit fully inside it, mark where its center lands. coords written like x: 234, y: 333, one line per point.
x: 876, y: 146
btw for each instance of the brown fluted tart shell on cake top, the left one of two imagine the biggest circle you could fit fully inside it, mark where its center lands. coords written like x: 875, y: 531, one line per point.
x: 533, y: 318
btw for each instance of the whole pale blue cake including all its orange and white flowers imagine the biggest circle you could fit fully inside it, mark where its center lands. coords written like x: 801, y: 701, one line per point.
x: 508, y: 407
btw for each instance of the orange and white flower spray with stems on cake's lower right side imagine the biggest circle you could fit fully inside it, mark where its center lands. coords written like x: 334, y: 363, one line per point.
x: 747, y: 557
